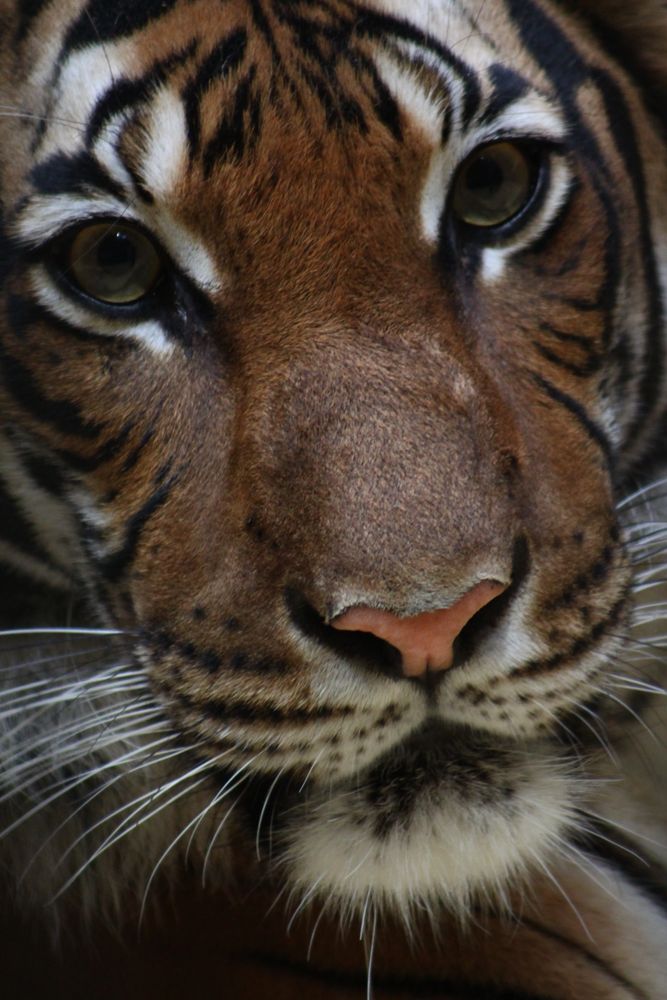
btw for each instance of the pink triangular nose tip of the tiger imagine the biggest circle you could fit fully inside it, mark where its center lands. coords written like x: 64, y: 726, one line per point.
x: 425, y: 641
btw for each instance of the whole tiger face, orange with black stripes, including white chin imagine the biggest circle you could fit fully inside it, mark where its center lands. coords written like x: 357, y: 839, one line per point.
x: 312, y: 310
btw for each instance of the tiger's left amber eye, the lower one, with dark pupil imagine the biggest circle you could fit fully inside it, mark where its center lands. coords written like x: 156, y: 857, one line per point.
x: 113, y: 263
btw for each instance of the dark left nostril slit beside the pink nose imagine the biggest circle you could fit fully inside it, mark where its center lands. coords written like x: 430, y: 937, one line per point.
x: 374, y: 653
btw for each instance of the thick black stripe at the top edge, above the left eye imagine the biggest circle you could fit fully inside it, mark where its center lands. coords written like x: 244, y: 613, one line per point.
x: 108, y: 20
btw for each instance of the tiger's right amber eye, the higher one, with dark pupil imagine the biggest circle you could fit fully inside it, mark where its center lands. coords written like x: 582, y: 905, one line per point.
x: 493, y: 185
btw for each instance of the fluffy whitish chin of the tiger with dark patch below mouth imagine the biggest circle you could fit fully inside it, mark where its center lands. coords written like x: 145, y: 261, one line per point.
x: 444, y: 819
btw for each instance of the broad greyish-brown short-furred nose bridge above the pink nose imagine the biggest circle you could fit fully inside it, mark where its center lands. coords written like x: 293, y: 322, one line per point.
x: 380, y: 468
